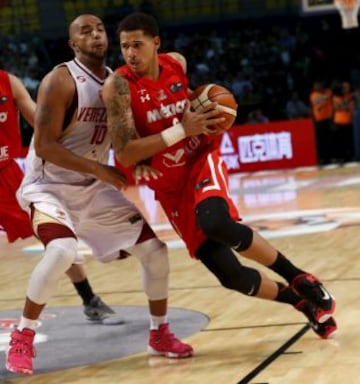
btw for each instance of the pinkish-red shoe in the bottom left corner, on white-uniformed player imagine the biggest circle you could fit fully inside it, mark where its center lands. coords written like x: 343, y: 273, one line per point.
x: 21, y: 352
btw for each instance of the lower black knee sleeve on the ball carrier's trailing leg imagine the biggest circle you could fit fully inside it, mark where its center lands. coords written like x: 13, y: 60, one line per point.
x: 220, y: 260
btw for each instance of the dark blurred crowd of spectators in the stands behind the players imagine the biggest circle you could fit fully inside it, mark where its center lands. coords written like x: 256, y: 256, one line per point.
x: 269, y: 65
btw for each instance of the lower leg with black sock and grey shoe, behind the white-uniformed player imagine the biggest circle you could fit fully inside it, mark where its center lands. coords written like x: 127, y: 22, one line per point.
x: 94, y: 307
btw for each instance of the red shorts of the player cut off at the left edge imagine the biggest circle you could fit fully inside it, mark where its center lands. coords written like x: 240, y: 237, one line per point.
x: 13, y: 219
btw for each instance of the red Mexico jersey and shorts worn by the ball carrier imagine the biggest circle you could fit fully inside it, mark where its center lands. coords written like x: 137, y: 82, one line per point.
x: 192, y: 170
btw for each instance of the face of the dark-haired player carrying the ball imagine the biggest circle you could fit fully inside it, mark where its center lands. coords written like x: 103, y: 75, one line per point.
x: 139, y: 51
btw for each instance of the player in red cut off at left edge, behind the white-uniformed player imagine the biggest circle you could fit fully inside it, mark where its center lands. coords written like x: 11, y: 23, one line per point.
x: 15, y: 99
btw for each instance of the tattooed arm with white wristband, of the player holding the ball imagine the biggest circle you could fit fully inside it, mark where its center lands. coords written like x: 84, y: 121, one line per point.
x: 131, y: 149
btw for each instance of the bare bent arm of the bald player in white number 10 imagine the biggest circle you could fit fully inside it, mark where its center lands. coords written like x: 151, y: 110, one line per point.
x: 55, y: 95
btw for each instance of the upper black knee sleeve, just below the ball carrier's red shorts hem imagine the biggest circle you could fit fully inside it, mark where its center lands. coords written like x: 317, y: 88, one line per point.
x: 214, y: 220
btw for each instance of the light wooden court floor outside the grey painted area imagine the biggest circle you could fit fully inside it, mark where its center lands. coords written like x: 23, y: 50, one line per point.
x: 311, y: 215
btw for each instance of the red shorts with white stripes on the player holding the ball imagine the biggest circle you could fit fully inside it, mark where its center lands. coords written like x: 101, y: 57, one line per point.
x: 207, y: 178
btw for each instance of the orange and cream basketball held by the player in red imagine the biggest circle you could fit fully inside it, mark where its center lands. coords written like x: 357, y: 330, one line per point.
x: 227, y: 105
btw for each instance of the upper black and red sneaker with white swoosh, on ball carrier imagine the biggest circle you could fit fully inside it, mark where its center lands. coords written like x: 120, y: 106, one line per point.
x: 309, y: 287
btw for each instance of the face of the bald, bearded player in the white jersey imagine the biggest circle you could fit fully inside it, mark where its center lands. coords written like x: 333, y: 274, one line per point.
x: 89, y: 37
